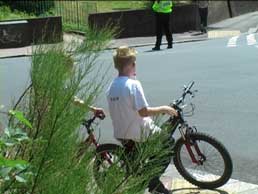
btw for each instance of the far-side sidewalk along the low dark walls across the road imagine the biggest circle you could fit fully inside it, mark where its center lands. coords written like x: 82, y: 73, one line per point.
x: 226, y: 28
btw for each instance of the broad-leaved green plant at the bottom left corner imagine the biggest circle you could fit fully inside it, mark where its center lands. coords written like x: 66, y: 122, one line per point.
x: 14, y: 172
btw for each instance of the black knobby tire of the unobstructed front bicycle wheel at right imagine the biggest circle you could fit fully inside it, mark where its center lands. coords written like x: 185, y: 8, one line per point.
x: 218, y: 146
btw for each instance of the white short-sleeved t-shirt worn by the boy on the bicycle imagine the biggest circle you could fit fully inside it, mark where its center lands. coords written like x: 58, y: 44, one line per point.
x: 125, y: 98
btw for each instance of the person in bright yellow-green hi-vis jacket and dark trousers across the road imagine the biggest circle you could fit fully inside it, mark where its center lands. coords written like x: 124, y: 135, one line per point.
x: 163, y: 10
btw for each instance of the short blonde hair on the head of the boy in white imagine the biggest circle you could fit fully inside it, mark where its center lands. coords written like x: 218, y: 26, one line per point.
x: 124, y: 56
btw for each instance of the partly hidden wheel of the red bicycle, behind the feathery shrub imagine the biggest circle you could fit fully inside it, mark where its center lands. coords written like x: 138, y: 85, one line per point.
x: 108, y: 161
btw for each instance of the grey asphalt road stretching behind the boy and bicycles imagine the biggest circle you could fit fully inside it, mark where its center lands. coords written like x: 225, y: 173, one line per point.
x: 225, y: 72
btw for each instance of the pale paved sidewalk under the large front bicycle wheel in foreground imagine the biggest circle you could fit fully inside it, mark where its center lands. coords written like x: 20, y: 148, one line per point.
x: 173, y: 180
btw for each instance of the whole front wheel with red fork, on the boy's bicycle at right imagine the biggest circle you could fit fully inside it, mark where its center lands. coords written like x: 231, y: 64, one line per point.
x: 203, y: 161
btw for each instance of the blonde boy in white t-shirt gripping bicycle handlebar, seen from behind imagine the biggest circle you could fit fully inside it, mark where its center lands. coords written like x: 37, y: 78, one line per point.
x: 129, y: 110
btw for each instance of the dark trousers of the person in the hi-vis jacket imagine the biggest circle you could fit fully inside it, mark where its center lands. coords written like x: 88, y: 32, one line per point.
x: 162, y: 24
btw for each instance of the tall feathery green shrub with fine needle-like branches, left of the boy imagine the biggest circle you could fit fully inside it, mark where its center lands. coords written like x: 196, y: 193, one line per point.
x: 58, y: 75
